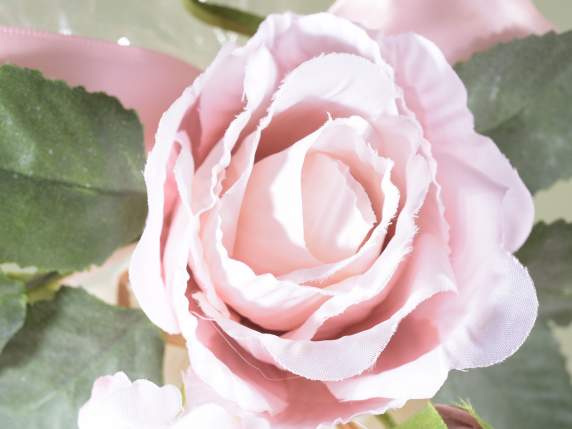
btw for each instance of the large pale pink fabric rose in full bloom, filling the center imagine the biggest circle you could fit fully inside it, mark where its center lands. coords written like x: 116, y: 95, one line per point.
x: 327, y: 230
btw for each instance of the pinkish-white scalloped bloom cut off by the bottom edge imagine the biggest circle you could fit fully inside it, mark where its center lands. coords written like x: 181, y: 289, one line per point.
x: 117, y: 403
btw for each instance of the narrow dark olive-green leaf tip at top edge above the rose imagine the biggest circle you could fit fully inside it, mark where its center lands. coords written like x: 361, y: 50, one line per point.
x: 224, y: 17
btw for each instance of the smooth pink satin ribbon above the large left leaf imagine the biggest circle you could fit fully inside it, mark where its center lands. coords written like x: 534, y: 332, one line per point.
x: 143, y: 80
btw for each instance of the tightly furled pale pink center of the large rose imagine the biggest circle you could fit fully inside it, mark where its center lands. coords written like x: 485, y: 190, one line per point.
x: 302, y: 208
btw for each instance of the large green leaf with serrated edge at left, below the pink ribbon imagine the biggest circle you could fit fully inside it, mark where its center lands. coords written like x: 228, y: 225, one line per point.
x: 70, y: 173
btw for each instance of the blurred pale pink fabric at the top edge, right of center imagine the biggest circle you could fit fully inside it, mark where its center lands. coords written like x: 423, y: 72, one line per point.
x: 458, y: 27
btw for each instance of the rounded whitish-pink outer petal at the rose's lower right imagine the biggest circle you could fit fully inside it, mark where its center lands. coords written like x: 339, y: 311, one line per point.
x: 492, y: 322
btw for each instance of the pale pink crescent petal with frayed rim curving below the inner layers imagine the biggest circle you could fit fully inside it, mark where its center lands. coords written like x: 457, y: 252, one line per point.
x: 332, y: 360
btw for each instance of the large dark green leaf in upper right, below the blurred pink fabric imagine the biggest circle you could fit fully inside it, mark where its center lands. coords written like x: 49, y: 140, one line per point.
x: 520, y: 95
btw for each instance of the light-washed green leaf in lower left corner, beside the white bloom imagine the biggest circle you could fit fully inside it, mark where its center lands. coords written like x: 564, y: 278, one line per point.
x: 47, y: 369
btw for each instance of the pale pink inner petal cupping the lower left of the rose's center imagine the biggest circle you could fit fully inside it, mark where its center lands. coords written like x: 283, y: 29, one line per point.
x: 273, y: 304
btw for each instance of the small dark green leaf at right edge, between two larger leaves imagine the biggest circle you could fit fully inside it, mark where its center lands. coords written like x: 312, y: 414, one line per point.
x: 548, y: 256
